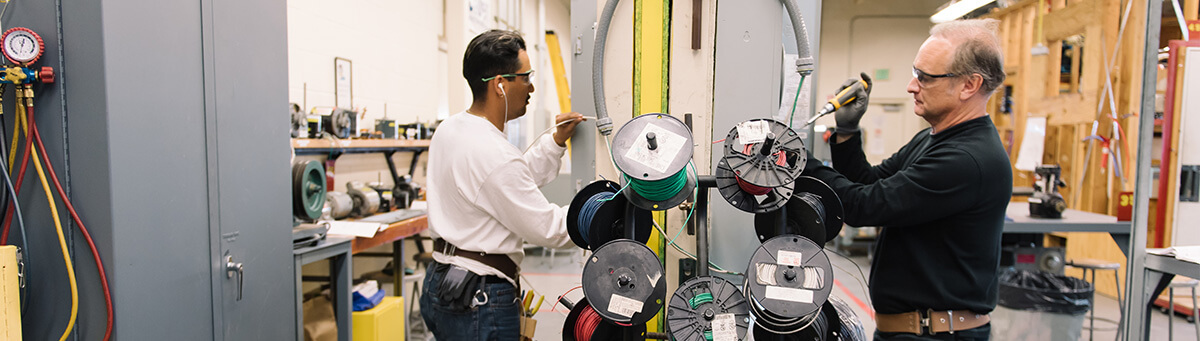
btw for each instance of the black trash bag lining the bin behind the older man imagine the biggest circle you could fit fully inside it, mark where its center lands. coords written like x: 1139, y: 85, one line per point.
x: 1037, y: 291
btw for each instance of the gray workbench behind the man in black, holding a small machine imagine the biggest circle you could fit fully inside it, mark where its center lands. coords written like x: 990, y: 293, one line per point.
x: 1018, y: 220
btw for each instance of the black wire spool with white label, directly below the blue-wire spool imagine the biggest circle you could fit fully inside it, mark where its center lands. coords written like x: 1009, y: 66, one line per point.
x: 626, y: 283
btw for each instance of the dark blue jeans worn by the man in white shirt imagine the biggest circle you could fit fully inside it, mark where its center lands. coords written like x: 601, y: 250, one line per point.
x: 499, y: 316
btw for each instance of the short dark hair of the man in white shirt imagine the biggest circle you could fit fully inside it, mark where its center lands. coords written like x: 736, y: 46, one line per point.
x: 489, y: 55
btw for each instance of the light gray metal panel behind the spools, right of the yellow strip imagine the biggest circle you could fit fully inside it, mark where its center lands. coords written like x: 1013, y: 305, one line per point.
x: 751, y: 39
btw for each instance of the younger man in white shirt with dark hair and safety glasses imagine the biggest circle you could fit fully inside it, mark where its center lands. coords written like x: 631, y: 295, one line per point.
x: 484, y: 199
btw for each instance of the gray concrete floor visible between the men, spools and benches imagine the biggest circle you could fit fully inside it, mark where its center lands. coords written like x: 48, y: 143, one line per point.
x: 553, y: 277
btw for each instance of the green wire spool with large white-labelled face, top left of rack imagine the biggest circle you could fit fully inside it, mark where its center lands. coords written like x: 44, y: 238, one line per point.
x: 652, y: 152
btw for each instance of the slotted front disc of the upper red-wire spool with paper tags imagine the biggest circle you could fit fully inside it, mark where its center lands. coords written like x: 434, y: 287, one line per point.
x: 773, y: 163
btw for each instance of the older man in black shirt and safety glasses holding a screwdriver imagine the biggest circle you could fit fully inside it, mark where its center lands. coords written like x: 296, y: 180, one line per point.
x: 940, y: 200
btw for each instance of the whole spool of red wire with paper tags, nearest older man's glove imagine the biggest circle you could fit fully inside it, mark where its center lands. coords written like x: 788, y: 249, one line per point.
x: 761, y: 160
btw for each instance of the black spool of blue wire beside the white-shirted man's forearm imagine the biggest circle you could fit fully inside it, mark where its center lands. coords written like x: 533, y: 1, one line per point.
x: 608, y: 222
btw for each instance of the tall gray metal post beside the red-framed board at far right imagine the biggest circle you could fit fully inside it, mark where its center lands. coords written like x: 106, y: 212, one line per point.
x: 1139, y: 301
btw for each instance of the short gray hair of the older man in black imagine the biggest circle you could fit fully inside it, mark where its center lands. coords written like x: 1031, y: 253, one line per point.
x: 977, y: 50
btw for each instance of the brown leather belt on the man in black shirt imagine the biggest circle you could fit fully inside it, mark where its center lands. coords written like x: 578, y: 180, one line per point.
x: 915, y: 322
